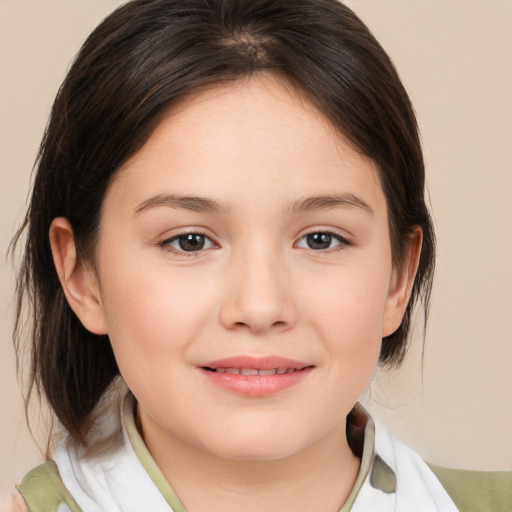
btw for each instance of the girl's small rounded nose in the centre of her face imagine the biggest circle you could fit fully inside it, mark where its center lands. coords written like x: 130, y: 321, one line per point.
x: 259, y: 295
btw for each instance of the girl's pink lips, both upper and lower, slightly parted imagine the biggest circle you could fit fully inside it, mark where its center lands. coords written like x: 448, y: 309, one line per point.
x: 229, y: 374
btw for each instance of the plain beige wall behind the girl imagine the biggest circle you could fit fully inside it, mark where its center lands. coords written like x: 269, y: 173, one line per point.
x: 455, y: 59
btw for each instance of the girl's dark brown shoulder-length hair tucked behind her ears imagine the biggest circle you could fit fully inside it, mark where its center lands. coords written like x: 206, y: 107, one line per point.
x: 144, y: 57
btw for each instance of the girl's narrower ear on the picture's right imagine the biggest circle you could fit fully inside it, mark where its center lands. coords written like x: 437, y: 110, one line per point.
x: 402, y: 280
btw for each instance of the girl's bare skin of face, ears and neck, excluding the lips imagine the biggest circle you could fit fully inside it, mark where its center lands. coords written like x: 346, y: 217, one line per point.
x: 257, y: 149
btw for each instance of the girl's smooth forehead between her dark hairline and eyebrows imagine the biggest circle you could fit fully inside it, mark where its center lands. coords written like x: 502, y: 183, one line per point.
x: 258, y: 135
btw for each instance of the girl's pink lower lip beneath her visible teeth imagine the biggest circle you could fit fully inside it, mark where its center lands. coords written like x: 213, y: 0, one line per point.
x: 256, y: 385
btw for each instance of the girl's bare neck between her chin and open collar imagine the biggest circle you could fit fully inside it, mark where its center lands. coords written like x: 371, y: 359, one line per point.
x: 319, y: 478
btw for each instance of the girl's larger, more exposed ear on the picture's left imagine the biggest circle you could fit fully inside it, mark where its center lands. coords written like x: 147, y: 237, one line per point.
x: 78, y: 280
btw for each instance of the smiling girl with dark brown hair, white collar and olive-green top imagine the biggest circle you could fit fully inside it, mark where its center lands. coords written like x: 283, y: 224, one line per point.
x: 227, y: 234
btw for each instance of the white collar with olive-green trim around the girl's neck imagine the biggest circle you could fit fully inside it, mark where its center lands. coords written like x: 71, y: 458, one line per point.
x: 123, y: 477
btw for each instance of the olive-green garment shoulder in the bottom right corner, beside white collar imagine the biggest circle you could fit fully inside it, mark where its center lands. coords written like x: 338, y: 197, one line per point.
x: 474, y: 491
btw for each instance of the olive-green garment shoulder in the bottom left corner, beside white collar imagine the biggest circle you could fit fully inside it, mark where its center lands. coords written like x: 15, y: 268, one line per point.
x: 42, y: 490
